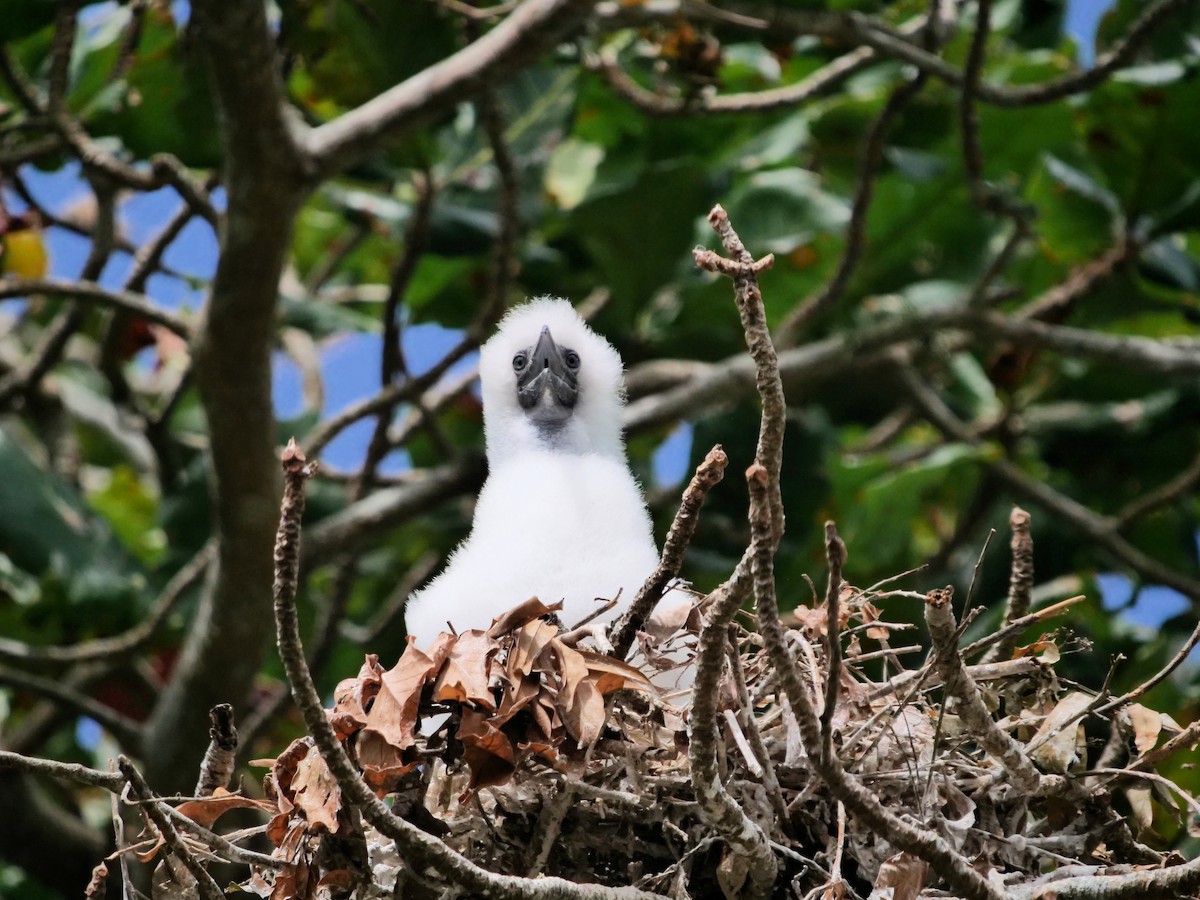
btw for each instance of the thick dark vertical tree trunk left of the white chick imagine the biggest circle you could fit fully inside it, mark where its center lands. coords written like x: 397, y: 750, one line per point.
x: 266, y: 182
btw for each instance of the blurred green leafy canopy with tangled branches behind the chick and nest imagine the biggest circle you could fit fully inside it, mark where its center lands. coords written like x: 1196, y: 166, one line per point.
x: 983, y: 295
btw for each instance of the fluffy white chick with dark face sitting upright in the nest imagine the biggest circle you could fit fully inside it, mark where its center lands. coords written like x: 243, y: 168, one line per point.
x: 561, y: 517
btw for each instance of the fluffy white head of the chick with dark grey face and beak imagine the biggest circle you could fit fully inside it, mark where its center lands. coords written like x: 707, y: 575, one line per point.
x: 550, y: 382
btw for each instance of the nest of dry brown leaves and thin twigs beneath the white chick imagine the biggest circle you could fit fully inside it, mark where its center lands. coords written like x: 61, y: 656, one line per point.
x: 532, y: 757
